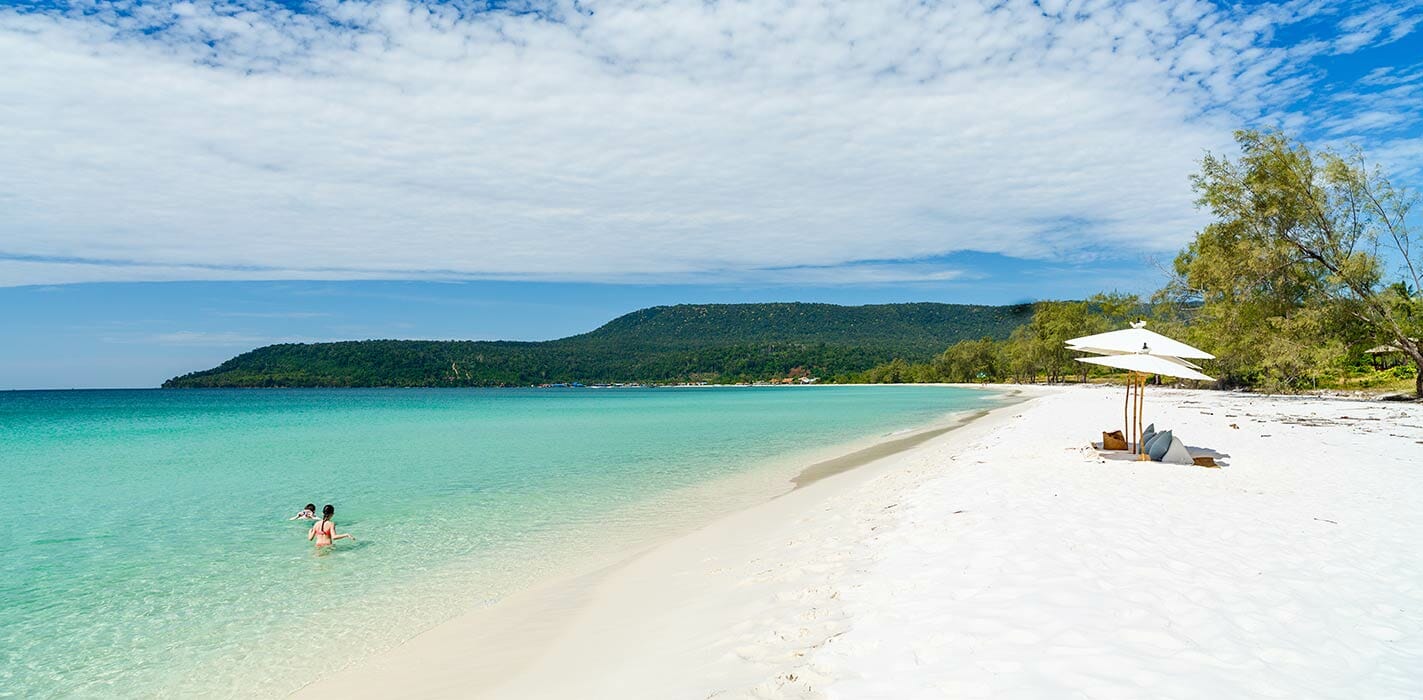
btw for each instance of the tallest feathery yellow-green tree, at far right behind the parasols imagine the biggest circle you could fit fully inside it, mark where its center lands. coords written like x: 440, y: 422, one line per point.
x: 1300, y: 250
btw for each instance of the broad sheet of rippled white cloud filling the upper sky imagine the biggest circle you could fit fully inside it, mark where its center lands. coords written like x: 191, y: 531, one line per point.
x: 614, y: 142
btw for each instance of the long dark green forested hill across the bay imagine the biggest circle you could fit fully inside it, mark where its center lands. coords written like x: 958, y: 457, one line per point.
x: 664, y: 344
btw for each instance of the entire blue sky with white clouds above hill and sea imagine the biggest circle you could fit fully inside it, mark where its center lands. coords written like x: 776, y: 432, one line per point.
x: 183, y: 181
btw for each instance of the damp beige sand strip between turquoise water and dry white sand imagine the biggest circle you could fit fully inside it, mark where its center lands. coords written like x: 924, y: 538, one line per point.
x: 493, y: 645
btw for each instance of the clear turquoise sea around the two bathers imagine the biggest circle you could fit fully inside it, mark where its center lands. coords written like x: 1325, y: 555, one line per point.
x: 144, y: 546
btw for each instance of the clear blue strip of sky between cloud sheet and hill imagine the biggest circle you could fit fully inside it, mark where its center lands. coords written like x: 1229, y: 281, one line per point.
x: 140, y: 334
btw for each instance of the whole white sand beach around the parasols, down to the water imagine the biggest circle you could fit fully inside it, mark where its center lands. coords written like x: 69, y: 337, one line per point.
x: 1004, y: 560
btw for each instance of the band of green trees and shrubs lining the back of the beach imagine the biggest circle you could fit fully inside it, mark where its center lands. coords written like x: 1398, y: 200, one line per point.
x: 1308, y: 277
